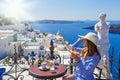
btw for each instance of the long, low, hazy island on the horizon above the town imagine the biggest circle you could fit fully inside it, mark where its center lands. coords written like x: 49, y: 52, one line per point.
x: 57, y: 21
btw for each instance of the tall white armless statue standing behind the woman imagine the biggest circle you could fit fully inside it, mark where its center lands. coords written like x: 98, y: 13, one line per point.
x: 102, y: 28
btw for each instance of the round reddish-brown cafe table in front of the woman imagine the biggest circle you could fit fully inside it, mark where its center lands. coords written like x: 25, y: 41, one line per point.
x: 60, y: 70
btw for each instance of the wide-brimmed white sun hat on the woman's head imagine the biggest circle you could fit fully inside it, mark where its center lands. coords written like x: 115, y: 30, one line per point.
x: 91, y: 36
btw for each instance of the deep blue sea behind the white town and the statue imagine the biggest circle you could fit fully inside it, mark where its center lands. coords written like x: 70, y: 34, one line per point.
x: 70, y: 32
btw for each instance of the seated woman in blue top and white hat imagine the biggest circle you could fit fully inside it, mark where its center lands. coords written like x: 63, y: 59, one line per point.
x: 87, y: 60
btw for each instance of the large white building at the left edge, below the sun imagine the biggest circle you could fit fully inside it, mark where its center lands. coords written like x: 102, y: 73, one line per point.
x: 6, y: 37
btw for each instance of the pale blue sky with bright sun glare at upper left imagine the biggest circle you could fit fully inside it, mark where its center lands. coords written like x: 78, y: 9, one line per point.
x: 60, y: 9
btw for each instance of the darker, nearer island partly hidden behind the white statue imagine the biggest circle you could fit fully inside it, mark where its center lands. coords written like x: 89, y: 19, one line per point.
x: 114, y: 28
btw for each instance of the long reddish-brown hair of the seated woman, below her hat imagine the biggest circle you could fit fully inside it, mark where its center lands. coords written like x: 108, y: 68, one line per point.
x: 91, y: 49
